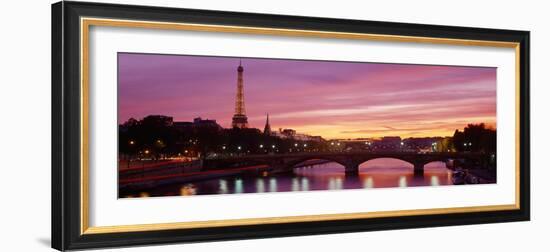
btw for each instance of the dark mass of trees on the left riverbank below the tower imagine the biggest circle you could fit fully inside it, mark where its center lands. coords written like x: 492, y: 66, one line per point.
x: 157, y: 136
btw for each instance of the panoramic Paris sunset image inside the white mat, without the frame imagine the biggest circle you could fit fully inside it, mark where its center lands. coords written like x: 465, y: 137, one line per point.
x: 208, y: 125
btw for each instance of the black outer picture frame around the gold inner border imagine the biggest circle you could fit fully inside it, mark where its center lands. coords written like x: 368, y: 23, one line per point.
x: 66, y: 123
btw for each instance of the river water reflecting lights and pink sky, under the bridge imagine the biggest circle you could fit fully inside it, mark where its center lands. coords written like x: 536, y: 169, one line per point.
x: 378, y: 173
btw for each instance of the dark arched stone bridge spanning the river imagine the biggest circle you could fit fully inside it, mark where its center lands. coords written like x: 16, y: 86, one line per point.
x: 350, y: 160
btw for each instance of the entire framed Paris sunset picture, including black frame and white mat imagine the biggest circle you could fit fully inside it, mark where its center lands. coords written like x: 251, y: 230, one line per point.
x: 180, y: 125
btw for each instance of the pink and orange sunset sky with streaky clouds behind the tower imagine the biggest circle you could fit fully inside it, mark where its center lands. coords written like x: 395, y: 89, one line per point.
x: 326, y: 98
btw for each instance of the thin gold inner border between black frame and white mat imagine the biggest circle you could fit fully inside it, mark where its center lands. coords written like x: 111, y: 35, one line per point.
x: 87, y: 22
